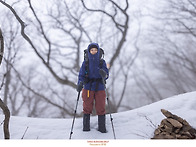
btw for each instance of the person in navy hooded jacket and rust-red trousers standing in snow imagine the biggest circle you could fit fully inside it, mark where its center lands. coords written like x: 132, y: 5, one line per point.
x: 92, y: 71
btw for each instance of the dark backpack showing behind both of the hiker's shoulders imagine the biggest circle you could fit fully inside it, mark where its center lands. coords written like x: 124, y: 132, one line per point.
x: 101, y: 58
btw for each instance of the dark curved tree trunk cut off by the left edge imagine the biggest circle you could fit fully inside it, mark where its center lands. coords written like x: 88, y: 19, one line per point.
x: 2, y: 105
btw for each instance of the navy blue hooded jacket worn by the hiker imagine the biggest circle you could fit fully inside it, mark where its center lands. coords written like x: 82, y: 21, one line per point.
x: 93, y: 71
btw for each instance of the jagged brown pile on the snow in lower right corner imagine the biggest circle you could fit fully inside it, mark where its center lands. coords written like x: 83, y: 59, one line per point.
x: 174, y: 127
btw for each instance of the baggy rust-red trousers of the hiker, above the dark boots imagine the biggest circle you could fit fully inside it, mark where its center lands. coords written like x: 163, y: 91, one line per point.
x: 88, y: 101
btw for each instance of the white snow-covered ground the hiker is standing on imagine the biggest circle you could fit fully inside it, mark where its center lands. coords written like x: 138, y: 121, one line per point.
x: 135, y: 124
